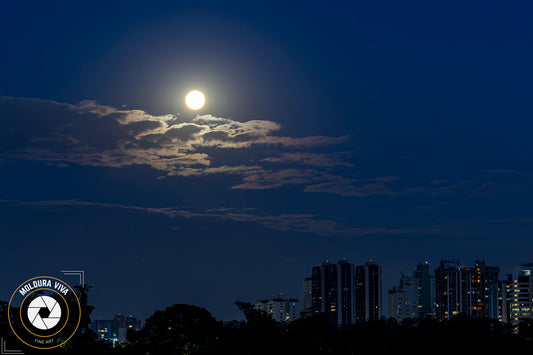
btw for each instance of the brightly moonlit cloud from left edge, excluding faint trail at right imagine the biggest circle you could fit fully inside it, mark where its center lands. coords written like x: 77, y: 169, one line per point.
x: 91, y: 134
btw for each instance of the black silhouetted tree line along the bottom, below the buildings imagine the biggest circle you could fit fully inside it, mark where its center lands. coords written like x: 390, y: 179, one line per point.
x: 188, y: 329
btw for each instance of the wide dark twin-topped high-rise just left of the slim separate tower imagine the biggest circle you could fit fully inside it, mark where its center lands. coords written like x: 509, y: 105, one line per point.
x: 332, y: 291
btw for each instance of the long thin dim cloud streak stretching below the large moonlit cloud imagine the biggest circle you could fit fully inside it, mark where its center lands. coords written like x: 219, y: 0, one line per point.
x: 310, y: 223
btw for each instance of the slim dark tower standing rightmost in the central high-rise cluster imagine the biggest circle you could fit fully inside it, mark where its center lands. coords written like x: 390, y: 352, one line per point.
x: 368, y: 300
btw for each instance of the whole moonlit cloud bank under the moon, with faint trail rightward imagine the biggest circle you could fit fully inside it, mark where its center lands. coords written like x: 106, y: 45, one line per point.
x: 91, y: 134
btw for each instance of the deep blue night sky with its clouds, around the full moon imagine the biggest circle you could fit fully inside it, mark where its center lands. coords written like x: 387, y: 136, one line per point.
x: 397, y: 131
